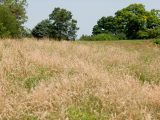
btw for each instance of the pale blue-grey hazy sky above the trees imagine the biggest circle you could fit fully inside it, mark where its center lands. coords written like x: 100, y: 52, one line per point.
x: 86, y: 12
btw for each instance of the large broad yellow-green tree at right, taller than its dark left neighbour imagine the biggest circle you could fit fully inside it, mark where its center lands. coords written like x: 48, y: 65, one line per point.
x: 137, y: 22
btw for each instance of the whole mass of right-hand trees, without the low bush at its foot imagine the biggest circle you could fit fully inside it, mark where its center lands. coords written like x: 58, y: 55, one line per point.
x: 133, y: 21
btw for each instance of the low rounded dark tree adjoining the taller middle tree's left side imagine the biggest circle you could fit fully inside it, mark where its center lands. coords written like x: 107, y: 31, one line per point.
x: 42, y: 29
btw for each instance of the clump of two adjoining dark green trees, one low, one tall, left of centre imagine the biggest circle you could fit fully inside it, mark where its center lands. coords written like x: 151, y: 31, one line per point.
x: 60, y: 26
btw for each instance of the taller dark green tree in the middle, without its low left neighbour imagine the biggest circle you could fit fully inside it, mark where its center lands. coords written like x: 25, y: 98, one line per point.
x: 63, y: 25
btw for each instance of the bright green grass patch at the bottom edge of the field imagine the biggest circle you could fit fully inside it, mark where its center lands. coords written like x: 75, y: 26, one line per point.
x: 90, y: 109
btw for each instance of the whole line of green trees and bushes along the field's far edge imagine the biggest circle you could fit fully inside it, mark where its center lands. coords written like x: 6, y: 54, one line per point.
x: 132, y: 22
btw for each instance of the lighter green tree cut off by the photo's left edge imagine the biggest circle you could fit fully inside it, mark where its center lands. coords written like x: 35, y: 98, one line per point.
x: 12, y: 17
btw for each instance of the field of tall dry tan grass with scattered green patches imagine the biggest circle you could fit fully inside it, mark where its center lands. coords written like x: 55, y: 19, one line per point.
x: 49, y: 80
